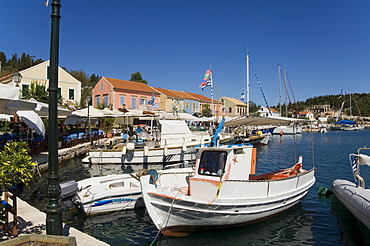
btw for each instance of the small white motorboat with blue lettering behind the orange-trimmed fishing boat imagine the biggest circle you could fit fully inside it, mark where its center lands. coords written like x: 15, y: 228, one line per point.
x: 108, y: 193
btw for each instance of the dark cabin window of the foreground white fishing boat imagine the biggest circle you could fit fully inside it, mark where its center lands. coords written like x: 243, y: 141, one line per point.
x: 212, y: 163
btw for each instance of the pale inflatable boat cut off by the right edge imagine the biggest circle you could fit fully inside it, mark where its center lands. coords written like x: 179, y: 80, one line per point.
x: 354, y: 195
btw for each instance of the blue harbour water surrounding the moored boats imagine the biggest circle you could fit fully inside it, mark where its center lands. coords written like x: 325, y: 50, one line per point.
x: 316, y: 220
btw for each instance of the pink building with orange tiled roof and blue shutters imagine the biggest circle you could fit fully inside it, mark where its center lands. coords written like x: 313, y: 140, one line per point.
x: 114, y: 93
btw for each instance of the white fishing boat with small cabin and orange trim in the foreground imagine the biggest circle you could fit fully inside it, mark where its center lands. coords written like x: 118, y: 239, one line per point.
x: 223, y: 191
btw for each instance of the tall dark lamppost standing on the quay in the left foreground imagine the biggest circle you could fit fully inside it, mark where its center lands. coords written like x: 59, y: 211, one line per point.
x: 53, y: 209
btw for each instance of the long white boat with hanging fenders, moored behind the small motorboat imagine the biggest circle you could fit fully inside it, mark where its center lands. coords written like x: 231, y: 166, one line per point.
x: 175, y: 144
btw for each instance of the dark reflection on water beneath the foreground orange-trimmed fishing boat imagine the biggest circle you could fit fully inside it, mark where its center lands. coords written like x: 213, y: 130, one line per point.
x: 290, y: 228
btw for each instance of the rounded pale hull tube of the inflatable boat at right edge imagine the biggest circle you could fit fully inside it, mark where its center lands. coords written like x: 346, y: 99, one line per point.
x: 355, y: 199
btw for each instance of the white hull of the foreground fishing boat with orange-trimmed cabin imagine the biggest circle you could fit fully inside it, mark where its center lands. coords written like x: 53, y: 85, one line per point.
x: 238, y: 203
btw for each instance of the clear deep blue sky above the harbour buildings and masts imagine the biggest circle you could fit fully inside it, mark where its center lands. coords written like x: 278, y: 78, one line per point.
x: 323, y: 44
